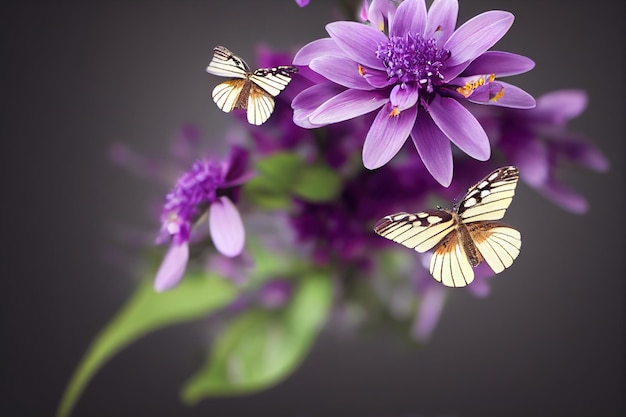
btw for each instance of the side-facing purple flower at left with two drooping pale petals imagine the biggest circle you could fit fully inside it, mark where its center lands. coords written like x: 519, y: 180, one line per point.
x: 209, y: 187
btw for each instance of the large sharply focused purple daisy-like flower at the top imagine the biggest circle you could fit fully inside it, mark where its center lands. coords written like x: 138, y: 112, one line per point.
x: 417, y: 75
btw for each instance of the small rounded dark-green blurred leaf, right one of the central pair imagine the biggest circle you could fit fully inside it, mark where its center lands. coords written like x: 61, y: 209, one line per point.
x: 317, y: 183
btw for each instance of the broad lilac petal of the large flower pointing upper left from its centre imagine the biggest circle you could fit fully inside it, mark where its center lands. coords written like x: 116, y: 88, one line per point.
x: 358, y: 41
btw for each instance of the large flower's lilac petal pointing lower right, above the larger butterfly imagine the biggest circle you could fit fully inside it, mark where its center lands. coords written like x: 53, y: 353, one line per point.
x: 460, y: 126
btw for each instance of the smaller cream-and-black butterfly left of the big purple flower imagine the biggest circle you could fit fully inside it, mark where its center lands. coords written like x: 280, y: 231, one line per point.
x: 251, y: 91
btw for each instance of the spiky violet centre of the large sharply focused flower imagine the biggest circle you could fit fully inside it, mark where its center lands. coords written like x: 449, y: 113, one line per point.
x: 411, y: 58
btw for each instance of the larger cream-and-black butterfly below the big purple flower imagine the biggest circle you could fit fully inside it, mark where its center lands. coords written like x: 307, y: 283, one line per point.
x: 465, y: 236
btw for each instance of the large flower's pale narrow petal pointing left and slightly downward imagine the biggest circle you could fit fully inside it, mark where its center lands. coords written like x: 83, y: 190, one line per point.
x: 347, y: 105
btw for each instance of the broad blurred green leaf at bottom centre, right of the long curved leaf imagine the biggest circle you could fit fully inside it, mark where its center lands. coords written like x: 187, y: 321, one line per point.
x: 259, y: 348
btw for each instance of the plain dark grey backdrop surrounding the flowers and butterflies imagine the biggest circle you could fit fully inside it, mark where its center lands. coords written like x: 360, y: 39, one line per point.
x: 77, y: 77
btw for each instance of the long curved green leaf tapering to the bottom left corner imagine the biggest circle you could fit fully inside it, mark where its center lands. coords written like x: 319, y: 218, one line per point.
x: 196, y: 296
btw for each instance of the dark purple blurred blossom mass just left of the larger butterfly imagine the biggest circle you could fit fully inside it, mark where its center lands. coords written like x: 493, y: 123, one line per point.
x: 342, y: 230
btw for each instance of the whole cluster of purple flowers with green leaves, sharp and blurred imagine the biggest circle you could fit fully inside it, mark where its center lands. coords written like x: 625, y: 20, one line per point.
x: 311, y: 182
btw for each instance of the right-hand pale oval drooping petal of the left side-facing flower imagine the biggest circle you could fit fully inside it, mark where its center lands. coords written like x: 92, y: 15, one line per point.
x: 226, y: 227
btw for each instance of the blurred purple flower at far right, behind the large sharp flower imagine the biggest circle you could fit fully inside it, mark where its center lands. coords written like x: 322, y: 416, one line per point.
x: 536, y: 140
